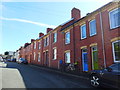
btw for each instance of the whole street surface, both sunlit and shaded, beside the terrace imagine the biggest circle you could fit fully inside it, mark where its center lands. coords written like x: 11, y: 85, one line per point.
x: 27, y: 76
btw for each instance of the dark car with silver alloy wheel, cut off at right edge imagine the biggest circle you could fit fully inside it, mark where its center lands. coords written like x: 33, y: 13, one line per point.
x: 108, y: 77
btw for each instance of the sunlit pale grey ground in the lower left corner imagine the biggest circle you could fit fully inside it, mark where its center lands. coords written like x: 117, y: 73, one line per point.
x: 10, y: 78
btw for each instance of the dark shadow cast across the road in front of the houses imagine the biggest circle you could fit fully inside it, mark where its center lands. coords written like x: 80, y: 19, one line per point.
x: 34, y: 77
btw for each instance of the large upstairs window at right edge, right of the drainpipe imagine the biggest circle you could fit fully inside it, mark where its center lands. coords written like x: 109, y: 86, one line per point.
x: 114, y: 17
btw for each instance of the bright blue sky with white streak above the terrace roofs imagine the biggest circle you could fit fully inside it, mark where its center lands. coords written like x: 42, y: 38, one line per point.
x: 21, y: 21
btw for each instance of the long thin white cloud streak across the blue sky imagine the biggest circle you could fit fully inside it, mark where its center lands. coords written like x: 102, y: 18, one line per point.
x: 27, y: 21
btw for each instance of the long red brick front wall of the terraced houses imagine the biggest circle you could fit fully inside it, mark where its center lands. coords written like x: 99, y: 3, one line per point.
x: 76, y: 43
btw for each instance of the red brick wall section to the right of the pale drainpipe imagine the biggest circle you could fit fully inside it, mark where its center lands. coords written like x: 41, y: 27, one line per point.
x: 108, y: 35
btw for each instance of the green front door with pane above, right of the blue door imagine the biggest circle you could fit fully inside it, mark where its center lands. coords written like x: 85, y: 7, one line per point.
x: 95, y: 58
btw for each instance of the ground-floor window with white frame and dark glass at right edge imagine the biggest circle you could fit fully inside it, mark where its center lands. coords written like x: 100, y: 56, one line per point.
x: 116, y: 51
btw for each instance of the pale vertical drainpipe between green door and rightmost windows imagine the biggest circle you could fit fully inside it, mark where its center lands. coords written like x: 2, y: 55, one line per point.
x: 102, y: 31
